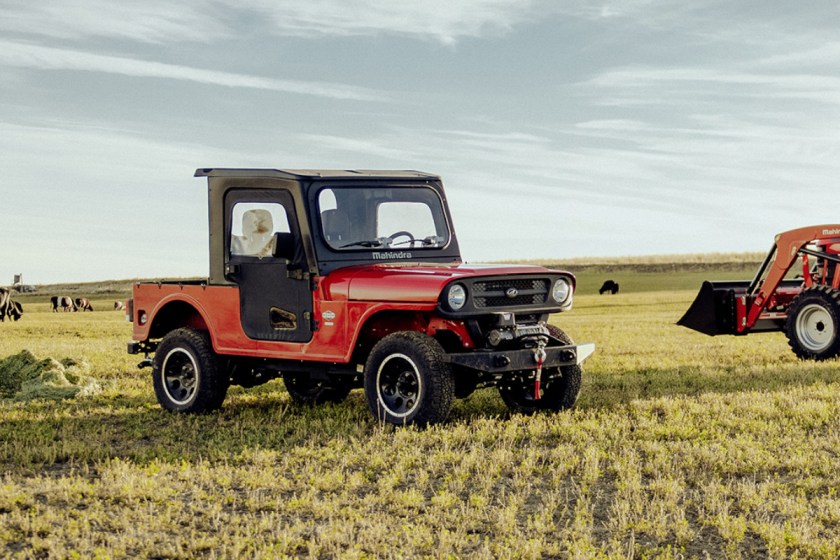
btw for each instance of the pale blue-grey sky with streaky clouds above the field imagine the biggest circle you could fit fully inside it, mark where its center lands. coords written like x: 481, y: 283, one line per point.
x: 560, y: 128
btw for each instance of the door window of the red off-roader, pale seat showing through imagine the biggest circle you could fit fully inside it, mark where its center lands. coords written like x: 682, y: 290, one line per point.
x: 253, y: 226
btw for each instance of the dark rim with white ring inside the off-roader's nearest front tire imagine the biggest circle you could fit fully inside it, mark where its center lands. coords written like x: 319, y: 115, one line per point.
x: 398, y: 385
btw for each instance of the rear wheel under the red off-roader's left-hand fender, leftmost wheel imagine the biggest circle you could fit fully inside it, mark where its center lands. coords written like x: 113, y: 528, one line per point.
x: 186, y: 373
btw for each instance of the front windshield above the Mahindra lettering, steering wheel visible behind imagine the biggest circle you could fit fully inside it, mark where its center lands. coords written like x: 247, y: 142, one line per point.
x: 355, y: 218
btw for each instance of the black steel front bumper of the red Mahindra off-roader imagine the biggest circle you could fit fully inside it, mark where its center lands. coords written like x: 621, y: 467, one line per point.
x: 502, y: 361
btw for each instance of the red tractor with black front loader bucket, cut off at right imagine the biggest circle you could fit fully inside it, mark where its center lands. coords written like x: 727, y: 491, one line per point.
x: 806, y: 306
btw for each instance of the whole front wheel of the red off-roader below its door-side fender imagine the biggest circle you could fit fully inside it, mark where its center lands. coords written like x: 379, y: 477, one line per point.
x: 407, y: 380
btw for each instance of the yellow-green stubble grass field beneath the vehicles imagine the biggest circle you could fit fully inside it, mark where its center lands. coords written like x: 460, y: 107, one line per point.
x: 681, y: 446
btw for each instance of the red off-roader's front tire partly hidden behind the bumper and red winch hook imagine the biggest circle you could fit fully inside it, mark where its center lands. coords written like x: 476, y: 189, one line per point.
x: 558, y: 392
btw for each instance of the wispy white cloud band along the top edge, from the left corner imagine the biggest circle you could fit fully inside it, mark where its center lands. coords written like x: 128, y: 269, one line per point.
x: 157, y: 21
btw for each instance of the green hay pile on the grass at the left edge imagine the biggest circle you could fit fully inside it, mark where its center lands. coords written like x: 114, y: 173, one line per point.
x: 25, y: 377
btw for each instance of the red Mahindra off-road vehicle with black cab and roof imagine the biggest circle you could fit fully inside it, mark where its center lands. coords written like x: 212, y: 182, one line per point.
x: 342, y: 279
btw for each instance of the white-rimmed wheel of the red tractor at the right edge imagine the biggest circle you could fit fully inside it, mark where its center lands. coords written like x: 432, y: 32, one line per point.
x: 813, y: 324
